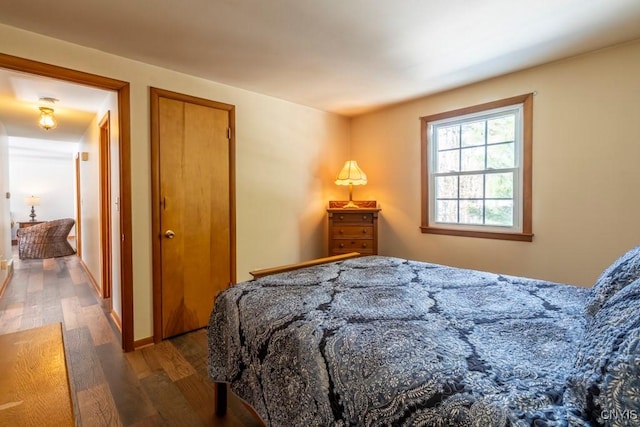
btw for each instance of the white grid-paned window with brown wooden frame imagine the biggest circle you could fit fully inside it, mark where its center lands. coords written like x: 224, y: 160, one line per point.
x: 476, y: 170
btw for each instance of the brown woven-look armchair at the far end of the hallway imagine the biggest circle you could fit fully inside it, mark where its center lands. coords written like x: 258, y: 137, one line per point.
x: 46, y: 240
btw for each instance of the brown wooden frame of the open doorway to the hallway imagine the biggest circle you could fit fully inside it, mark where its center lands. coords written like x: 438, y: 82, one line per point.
x: 124, y: 140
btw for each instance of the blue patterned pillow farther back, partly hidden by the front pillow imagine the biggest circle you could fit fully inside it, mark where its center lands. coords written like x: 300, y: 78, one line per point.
x: 623, y: 271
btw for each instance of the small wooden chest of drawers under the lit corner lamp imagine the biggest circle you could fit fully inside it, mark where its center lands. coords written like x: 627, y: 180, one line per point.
x: 353, y: 230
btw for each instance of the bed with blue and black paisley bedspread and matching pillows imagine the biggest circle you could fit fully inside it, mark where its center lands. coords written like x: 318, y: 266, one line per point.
x: 387, y: 341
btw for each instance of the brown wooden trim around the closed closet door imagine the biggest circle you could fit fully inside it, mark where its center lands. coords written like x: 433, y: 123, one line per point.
x: 155, y: 95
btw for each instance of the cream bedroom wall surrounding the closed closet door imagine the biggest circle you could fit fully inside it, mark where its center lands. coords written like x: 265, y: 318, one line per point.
x: 286, y: 159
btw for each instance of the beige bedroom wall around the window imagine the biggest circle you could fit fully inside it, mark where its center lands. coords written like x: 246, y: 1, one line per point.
x: 586, y: 176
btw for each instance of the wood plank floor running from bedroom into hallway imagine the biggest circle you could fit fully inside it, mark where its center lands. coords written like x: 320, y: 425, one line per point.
x: 160, y: 385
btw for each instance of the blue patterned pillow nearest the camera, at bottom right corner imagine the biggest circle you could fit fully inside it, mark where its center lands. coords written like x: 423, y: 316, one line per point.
x: 604, y: 385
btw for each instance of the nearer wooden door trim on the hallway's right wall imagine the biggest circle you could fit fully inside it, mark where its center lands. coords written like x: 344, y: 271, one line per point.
x: 105, y: 204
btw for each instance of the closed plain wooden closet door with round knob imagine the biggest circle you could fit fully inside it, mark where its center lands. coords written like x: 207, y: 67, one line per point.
x: 194, y: 213
